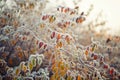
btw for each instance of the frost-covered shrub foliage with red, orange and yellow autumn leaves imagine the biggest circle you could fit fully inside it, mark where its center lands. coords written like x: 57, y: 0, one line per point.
x: 41, y: 44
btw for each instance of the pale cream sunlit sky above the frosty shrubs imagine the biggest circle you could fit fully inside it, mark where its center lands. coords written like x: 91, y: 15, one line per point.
x: 110, y: 10
